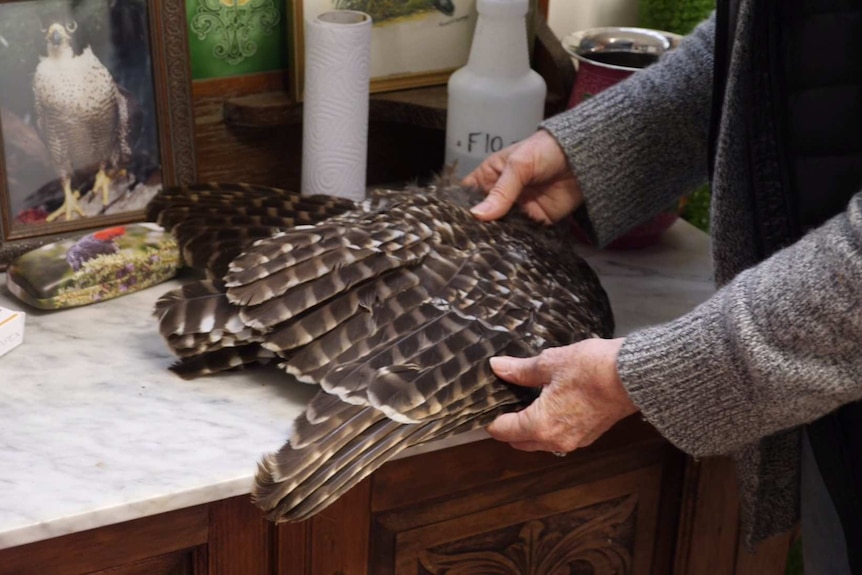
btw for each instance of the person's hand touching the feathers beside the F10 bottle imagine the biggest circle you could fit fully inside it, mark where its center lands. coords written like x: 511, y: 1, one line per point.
x: 535, y: 173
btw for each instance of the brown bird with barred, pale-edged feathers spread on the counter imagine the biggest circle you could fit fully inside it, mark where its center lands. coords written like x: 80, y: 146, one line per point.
x: 392, y: 307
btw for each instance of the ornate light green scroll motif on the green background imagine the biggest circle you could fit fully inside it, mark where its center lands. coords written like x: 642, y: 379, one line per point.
x: 234, y: 26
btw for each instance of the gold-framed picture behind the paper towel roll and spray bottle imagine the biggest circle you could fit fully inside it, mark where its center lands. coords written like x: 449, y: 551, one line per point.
x: 413, y: 43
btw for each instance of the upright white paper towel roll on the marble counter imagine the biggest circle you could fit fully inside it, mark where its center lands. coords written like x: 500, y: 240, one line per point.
x: 335, y: 109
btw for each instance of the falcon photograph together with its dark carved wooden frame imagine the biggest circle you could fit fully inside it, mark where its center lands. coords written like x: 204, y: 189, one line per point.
x: 95, y: 114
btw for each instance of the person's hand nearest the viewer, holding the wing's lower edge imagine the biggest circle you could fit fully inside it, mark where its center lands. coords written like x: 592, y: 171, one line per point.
x: 581, y: 398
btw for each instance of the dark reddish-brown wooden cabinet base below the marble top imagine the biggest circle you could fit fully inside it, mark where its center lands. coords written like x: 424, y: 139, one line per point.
x: 629, y: 504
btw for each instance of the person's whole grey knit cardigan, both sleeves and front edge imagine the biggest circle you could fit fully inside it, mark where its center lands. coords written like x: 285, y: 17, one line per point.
x: 779, y: 343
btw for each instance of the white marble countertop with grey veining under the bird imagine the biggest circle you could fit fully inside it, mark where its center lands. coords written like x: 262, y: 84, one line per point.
x: 94, y: 430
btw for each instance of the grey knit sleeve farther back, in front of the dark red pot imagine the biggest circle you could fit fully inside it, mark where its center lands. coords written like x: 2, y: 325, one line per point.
x: 654, y: 125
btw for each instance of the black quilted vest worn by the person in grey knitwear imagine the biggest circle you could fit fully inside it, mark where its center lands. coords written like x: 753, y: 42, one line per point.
x: 806, y: 144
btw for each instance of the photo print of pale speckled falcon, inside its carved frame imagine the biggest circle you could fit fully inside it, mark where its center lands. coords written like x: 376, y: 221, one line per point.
x: 78, y: 98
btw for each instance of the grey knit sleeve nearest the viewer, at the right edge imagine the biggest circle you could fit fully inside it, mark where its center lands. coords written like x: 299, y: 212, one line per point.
x: 775, y: 348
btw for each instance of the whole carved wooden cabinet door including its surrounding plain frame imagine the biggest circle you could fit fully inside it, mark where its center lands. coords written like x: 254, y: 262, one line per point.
x: 495, y: 511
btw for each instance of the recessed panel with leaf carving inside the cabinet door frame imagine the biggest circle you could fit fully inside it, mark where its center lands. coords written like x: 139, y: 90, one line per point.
x: 601, y: 528
